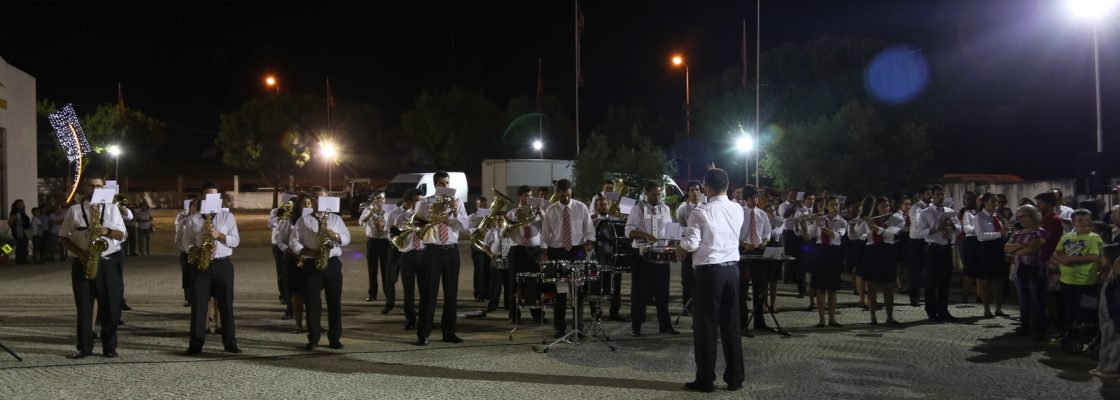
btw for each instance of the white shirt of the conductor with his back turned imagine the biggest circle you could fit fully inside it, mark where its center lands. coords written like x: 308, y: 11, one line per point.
x: 713, y: 232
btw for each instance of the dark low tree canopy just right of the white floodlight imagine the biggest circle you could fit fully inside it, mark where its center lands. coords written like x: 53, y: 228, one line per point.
x: 855, y: 152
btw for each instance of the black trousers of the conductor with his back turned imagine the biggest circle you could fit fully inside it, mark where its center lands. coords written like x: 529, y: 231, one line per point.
x: 716, y: 308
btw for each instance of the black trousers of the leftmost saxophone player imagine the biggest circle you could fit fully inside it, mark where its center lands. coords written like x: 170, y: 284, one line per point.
x: 104, y: 287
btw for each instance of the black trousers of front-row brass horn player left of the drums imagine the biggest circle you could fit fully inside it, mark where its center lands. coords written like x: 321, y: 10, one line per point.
x: 438, y: 263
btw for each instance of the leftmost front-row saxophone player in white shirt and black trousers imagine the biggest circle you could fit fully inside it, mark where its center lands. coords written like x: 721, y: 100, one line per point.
x: 105, y: 285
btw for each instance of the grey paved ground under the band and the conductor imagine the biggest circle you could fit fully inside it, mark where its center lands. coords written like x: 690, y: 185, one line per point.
x: 973, y: 360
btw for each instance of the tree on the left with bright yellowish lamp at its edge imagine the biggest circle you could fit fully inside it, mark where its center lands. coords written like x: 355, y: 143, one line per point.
x: 273, y: 135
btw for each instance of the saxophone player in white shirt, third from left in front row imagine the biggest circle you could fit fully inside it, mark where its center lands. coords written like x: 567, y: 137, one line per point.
x: 305, y: 241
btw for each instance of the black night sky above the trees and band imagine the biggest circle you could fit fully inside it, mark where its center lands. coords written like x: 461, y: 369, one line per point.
x: 1020, y: 71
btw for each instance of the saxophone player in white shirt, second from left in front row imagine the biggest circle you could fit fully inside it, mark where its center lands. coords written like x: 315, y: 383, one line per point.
x: 211, y: 237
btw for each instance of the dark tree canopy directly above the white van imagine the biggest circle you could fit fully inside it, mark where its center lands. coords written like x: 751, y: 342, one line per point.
x: 456, y: 129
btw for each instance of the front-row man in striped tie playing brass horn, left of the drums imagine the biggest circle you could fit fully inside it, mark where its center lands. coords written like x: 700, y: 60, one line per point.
x: 441, y: 261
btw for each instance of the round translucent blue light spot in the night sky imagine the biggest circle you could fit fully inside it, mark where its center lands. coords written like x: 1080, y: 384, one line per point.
x: 897, y: 76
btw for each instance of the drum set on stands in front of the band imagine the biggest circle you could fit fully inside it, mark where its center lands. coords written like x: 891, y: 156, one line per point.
x: 563, y: 277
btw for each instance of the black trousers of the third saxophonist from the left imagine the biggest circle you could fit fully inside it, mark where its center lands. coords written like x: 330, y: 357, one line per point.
x: 331, y: 283
